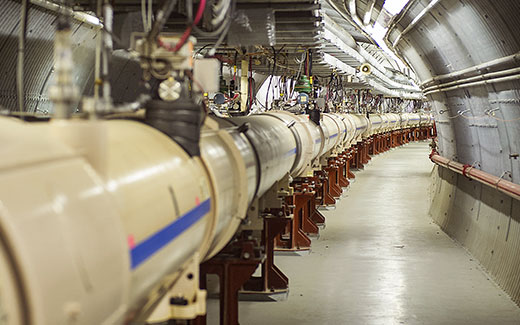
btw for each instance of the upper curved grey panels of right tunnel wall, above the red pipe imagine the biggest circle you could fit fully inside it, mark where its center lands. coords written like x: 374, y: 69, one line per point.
x: 455, y: 35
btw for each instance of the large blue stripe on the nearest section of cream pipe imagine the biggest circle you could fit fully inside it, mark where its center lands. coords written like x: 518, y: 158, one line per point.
x: 145, y: 249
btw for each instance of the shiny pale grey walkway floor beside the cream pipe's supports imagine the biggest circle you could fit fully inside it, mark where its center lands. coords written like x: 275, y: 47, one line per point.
x: 381, y: 260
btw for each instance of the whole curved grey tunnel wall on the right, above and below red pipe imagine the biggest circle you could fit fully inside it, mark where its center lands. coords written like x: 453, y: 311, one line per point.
x: 452, y: 36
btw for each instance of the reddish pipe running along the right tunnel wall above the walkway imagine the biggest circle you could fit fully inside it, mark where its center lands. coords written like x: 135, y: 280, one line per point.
x: 504, y: 186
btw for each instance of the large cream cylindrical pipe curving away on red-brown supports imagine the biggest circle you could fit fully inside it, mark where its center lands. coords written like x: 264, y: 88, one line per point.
x: 97, y: 217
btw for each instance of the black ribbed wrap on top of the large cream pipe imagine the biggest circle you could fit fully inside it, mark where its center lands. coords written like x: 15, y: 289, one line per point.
x: 180, y: 120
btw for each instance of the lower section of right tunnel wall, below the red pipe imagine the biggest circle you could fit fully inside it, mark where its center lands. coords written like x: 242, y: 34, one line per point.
x: 483, y: 220
